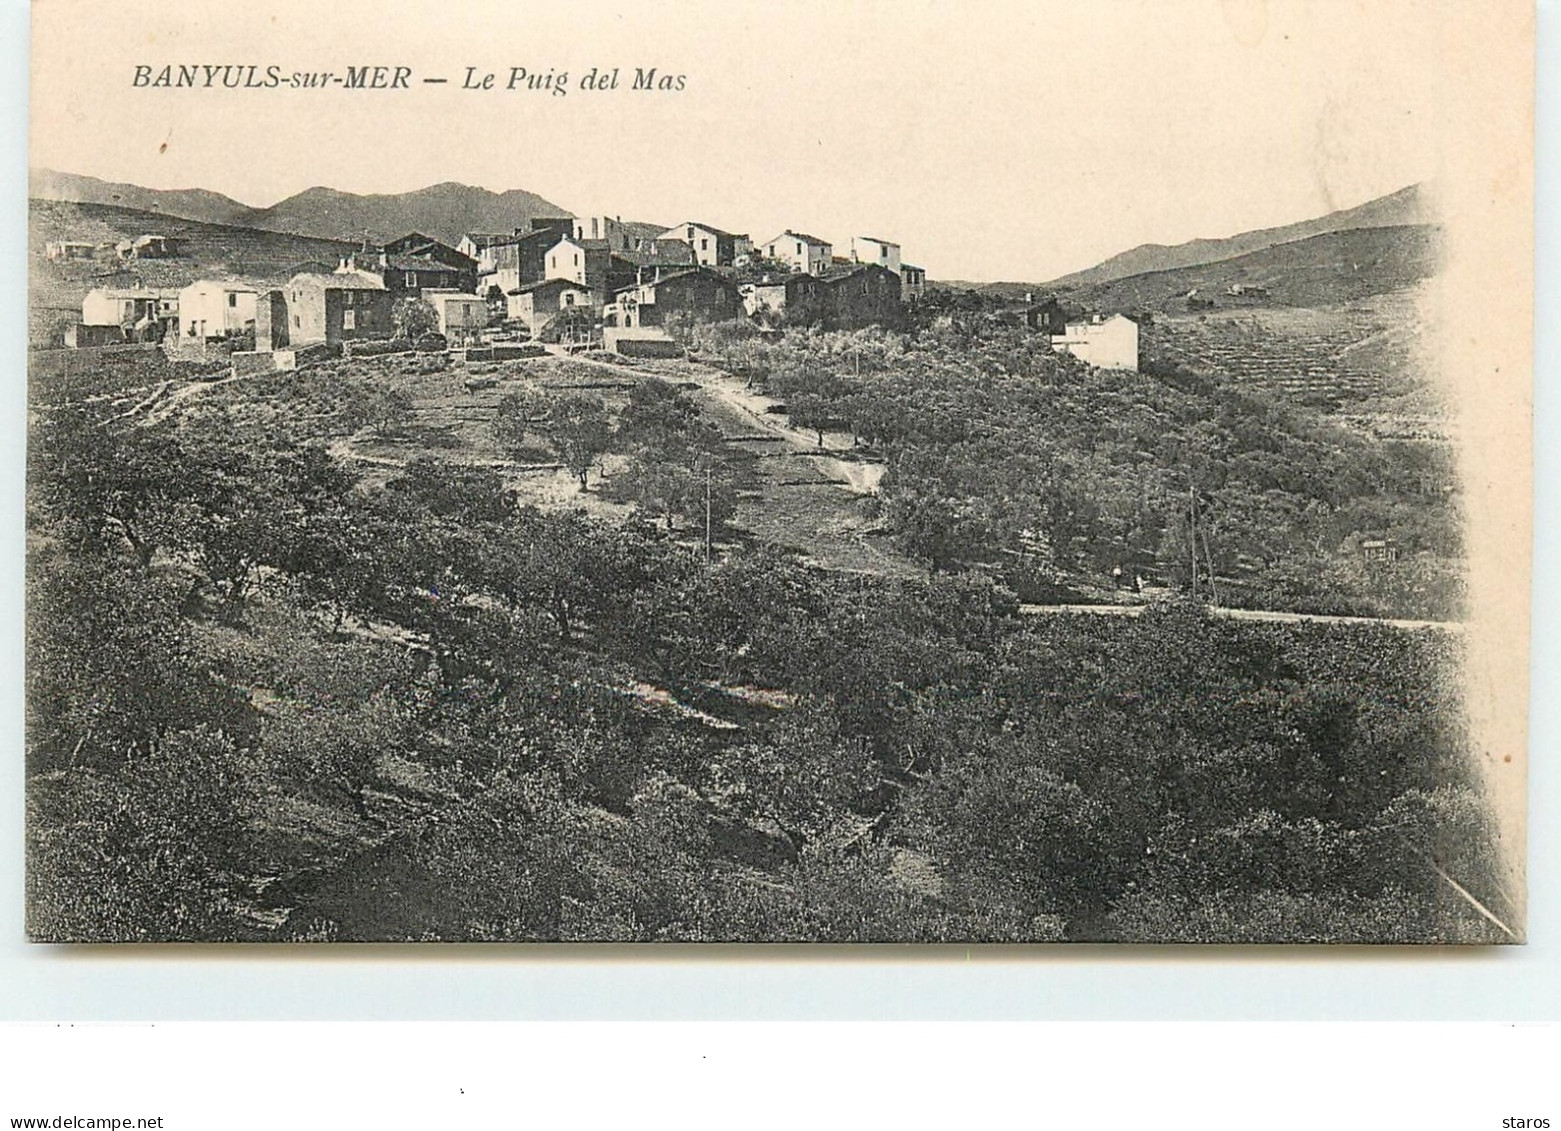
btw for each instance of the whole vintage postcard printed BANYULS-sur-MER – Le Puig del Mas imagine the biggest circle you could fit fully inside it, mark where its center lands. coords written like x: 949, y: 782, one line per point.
x: 725, y: 472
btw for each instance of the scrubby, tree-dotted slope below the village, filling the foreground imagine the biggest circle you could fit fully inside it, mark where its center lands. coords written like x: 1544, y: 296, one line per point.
x: 360, y: 654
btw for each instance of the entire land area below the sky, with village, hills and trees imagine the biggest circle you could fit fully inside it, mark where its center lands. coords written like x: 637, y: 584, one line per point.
x: 592, y: 580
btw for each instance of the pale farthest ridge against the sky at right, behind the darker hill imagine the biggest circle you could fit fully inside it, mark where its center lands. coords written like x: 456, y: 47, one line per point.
x: 1403, y: 208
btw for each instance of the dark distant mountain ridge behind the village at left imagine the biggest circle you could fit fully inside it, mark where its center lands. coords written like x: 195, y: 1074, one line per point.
x: 444, y: 211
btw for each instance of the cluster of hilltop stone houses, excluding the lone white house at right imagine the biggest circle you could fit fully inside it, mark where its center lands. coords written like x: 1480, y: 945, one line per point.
x: 564, y: 277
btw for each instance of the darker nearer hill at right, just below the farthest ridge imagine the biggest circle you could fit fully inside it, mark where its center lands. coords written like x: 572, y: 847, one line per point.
x: 1321, y: 271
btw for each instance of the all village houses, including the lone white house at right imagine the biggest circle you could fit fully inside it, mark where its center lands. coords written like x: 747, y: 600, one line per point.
x: 575, y: 283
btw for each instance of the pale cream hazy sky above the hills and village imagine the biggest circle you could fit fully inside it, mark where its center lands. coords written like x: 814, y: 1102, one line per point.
x: 995, y: 141
